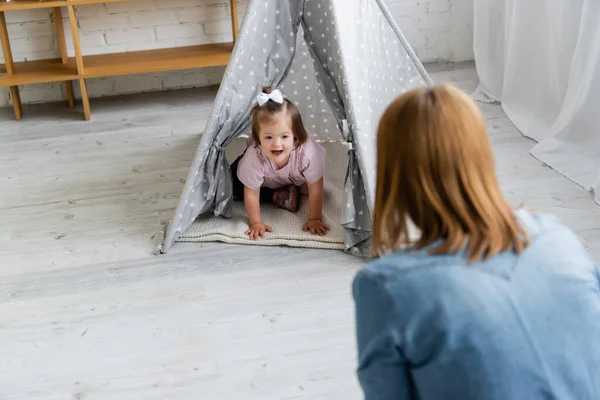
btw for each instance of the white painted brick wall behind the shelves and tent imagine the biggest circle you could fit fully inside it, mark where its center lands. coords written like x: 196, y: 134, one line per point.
x: 439, y: 30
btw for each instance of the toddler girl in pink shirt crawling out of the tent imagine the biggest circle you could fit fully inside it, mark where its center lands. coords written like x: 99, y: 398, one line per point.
x: 281, y: 160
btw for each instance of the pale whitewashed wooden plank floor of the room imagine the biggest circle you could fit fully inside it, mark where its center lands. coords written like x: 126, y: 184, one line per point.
x: 88, y: 312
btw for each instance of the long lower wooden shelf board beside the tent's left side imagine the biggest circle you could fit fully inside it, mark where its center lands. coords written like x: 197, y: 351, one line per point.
x: 159, y: 60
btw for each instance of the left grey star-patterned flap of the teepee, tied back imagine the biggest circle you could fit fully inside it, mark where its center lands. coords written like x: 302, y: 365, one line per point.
x: 261, y: 57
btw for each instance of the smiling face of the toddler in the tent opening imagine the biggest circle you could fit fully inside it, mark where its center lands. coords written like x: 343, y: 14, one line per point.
x: 277, y: 139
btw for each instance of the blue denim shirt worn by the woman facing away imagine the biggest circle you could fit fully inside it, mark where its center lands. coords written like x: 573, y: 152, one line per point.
x: 510, y: 328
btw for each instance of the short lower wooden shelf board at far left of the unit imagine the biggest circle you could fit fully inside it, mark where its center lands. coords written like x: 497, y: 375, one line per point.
x: 40, y: 71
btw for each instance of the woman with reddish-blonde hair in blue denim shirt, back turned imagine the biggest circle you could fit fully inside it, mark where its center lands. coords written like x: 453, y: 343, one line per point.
x: 490, y: 302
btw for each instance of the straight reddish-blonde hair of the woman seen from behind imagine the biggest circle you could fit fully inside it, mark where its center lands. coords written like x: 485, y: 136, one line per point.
x: 435, y: 166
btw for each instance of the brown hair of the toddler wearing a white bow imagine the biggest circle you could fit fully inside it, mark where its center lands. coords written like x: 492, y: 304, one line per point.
x: 269, y: 110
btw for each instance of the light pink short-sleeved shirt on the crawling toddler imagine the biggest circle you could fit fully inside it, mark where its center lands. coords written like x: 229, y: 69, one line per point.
x: 306, y: 165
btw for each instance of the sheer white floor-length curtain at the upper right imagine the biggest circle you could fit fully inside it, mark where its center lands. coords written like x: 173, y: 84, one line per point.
x: 541, y: 60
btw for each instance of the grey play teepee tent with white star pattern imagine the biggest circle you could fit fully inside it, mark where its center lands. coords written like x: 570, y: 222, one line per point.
x: 341, y: 62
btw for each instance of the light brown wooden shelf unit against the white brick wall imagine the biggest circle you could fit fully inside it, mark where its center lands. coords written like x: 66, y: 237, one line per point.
x: 81, y: 67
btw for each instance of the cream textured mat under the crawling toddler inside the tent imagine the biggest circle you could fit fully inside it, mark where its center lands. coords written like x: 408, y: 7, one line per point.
x: 287, y: 226
